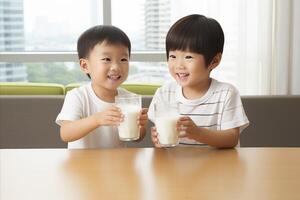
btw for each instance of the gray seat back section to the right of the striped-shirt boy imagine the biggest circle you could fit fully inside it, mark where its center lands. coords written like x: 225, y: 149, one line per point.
x: 273, y: 120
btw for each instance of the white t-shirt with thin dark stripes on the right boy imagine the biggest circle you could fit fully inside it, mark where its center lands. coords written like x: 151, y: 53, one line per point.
x: 219, y: 109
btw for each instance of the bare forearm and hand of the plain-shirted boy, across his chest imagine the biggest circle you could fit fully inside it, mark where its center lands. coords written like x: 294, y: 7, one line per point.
x: 74, y: 130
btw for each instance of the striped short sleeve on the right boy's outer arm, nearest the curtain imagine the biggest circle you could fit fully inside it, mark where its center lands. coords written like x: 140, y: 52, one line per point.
x: 233, y: 114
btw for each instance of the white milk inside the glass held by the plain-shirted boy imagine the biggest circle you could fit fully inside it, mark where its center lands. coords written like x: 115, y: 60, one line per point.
x: 128, y: 129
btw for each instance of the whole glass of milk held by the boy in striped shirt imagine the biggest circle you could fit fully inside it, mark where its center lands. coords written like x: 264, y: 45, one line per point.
x: 166, y: 116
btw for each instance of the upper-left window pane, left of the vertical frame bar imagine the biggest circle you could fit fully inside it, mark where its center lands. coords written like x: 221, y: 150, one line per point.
x: 48, y: 25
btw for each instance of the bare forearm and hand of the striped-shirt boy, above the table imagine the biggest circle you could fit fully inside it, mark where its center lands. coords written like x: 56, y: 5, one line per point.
x: 221, y: 139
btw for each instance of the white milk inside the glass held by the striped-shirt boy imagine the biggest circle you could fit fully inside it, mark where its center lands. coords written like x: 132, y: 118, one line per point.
x: 166, y: 129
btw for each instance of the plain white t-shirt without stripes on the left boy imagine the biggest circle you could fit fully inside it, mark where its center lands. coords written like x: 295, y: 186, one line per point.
x: 82, y: 102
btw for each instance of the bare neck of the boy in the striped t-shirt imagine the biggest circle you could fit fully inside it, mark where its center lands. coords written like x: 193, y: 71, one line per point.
x: 196, y: 92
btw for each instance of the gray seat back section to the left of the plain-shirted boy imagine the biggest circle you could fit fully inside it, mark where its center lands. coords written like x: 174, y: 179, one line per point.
x: 28, y: 121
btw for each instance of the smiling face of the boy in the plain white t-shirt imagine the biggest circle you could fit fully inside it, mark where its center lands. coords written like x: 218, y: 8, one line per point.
x: 107, y: 65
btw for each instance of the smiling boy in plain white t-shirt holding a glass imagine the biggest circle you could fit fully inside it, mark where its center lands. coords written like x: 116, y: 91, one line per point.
x: 89, y: 118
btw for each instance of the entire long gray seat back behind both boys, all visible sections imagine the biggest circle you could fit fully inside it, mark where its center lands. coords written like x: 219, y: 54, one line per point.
x: 29, y: 122
